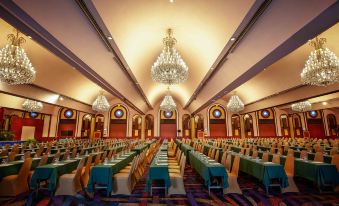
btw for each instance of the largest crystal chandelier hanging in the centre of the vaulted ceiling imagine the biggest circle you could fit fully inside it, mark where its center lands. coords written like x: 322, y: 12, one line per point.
x: 169, y: 68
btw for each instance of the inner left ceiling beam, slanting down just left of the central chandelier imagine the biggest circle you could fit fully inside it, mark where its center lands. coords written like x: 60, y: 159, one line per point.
x: 94, y: 18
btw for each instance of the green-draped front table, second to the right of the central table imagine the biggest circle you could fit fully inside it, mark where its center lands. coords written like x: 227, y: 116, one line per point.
x: 264, y: 171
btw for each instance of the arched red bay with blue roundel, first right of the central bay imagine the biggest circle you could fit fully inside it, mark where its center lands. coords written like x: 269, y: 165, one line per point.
x: 217, y: 121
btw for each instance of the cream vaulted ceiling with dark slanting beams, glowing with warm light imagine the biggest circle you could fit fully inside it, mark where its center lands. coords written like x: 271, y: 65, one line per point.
x: 263, y: 62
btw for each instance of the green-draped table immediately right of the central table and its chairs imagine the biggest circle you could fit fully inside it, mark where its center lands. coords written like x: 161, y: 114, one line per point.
x: 208, y: 170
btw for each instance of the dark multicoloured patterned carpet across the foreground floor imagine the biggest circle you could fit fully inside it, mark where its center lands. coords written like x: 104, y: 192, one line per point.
x: 197, y: 194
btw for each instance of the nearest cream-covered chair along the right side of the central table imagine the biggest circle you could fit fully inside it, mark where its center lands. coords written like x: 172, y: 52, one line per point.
x: 177, y: 180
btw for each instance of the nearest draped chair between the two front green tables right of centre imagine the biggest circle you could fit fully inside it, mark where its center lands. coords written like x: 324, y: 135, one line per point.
x: 233, y: 186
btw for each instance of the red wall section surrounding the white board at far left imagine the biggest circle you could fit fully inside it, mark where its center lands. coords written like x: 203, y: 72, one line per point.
x: 17, y: 123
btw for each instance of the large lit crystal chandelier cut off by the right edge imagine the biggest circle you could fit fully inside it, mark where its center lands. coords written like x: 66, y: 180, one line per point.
x: 322, y: 66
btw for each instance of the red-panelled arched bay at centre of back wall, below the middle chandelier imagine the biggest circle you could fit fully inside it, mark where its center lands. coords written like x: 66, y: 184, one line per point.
x: 168, y: 124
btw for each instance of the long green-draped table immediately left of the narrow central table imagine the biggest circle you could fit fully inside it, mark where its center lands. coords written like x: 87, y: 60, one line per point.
x: 103, y: 174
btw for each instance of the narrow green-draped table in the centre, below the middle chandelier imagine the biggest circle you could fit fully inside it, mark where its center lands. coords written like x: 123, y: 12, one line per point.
x: 158, y: 171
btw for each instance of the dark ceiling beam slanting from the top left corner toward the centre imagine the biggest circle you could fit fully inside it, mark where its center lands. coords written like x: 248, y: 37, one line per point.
x: 19, y: 19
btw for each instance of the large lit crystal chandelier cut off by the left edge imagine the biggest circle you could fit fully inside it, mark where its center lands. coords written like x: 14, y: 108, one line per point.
x: 15, y: 67
